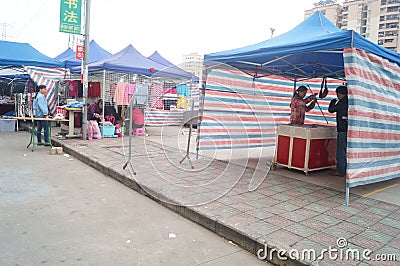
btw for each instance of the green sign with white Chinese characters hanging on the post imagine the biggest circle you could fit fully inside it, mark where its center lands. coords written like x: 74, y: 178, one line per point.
x: 70, y: 16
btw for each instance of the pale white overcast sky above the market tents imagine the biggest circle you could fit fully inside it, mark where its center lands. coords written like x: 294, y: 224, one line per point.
x: 171, y: 27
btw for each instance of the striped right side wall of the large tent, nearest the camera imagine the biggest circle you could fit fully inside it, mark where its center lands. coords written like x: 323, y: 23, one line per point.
x: 373, y: 141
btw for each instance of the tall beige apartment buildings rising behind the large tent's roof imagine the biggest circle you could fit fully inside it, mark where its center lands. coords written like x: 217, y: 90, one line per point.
x: 376, y: 20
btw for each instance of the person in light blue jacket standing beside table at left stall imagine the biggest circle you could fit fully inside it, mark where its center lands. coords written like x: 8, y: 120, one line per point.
x: 41, y: 111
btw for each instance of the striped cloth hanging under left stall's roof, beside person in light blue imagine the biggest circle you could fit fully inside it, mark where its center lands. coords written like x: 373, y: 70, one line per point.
x: 48, y: 77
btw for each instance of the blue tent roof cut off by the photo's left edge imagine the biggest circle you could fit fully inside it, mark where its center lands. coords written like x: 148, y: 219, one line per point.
x: 14, y: 54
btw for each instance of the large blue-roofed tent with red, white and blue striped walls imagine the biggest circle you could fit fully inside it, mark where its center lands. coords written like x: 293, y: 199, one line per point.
x: 314, y: 49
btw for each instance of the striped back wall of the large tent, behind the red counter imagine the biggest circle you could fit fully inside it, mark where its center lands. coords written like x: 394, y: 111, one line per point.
x: 238, y: 112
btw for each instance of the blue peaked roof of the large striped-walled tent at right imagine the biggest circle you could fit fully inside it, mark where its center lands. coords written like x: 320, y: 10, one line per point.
x: 312, y: 49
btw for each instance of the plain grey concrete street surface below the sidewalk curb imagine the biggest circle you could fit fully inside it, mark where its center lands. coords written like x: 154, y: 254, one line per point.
x: 55, y: 210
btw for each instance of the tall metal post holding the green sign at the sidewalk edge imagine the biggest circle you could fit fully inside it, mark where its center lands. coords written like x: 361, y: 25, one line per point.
x: 85, y: 69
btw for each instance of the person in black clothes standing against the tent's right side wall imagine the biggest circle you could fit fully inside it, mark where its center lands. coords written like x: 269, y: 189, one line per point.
x: 341, y: 109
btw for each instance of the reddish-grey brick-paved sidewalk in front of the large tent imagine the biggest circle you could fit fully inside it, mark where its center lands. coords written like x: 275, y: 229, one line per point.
x: 282, y: 213
